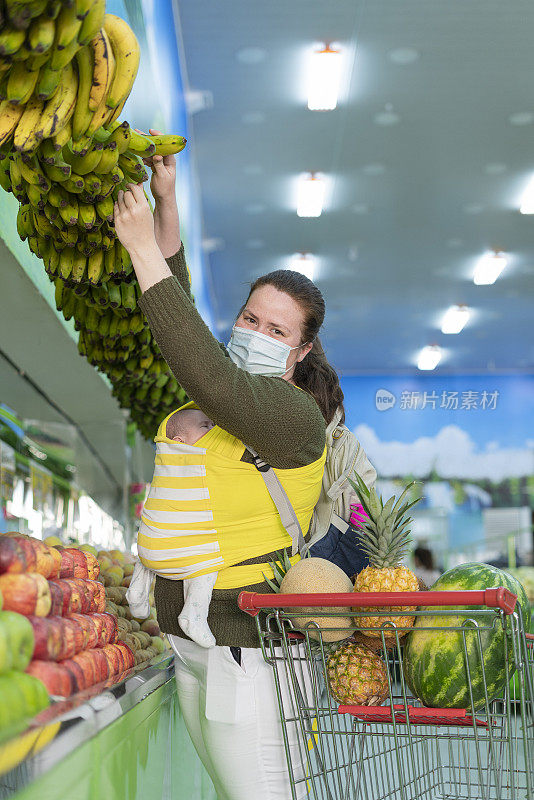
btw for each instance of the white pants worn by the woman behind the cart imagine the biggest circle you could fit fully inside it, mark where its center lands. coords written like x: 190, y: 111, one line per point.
x: 232, y: 715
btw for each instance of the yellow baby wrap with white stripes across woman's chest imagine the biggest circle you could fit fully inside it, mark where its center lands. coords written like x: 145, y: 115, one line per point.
x: 207, y: 510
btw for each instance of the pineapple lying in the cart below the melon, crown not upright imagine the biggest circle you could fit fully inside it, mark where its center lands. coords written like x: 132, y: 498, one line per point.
x: 357, y: 676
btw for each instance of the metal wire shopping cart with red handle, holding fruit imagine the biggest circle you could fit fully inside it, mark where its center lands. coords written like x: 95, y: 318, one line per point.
x: 399, y: 749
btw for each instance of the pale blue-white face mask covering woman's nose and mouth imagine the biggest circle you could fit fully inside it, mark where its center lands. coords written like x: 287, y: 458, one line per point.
x: 258, y: 353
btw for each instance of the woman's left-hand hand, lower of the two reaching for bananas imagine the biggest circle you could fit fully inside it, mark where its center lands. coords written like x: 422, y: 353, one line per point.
x: 134, y: 223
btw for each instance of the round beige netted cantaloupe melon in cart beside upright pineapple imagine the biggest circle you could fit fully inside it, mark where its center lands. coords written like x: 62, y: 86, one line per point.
x: 319, y: 575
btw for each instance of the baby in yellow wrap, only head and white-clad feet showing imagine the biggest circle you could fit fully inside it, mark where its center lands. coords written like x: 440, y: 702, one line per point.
x: 186, y: 426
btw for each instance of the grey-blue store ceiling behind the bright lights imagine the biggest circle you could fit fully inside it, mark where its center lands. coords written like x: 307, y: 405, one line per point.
x: 412, y: 205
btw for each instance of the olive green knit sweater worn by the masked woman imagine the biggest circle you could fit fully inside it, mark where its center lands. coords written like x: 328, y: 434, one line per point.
x: 283, y: 424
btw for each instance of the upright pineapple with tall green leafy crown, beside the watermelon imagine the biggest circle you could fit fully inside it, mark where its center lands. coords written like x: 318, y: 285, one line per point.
x: 385, y: 538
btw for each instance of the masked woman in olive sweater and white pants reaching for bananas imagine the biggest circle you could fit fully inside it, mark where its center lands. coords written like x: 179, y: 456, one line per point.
x: 227, y: 693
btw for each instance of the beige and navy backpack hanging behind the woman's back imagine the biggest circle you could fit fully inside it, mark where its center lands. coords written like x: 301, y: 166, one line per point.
x: 331, y: 535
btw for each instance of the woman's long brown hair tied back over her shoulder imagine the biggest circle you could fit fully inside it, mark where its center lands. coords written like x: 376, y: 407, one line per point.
x: 313, y: 374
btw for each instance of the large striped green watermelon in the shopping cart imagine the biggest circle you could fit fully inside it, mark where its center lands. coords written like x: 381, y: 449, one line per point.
x: 434, y: 661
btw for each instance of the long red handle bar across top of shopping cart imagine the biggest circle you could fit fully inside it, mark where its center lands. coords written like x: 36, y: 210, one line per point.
x: 501, y: 598
